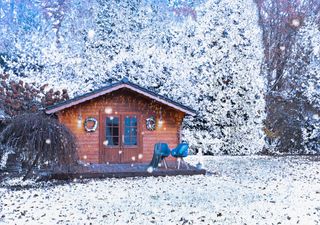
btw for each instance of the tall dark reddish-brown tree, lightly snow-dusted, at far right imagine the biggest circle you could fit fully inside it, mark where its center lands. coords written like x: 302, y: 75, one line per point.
x: 286, y: 62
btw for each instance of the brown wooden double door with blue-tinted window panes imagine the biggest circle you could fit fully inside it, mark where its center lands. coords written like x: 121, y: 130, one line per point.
x: 120, y: 138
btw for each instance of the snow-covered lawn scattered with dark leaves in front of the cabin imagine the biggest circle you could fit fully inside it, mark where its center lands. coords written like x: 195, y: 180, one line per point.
x: 239, y: 190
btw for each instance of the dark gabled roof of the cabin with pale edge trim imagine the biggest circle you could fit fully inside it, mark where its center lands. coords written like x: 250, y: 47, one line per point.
x: 124, y: 83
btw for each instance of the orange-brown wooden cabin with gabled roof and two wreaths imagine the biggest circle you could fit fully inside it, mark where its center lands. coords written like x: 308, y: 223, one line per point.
x: 120, y: 123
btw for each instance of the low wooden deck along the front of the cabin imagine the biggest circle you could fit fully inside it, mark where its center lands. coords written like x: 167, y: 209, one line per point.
x: 120, y: 171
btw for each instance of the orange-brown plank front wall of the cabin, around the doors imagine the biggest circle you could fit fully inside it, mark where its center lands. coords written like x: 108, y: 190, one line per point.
x: 120, y: 102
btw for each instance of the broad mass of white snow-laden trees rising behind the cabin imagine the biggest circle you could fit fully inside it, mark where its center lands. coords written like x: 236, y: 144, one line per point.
x: 206, y: 54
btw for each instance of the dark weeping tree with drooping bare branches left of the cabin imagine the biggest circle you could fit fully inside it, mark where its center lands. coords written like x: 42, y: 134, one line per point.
x: 39, y: 141
